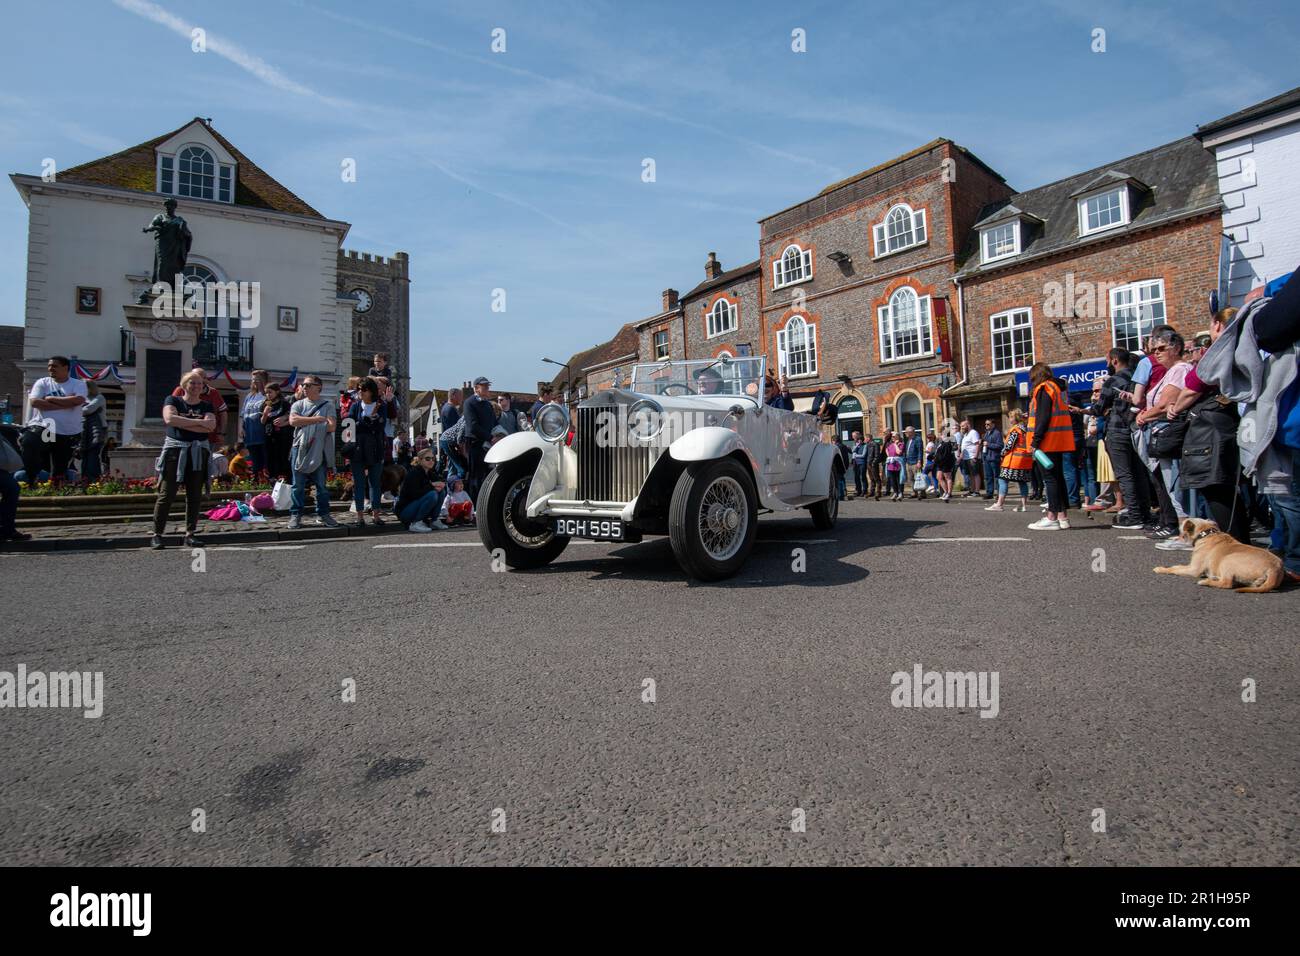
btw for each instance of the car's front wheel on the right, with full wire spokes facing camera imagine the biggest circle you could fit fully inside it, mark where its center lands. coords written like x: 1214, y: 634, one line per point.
x: 713, y: 518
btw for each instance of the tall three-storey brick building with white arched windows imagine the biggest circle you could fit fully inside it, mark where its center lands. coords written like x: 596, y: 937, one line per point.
x: 857, y: 285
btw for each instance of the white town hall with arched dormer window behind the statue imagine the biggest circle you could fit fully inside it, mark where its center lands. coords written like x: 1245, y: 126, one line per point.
x: 88, y: 258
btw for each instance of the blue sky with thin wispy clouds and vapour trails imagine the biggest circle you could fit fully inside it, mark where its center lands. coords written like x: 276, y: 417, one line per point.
x: 525, y: 170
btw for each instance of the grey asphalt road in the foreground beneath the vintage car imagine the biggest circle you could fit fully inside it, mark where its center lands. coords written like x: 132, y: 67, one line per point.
x: 1119, y: 690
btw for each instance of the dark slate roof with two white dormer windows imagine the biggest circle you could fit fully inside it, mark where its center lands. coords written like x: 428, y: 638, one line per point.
x: 1181, y: 180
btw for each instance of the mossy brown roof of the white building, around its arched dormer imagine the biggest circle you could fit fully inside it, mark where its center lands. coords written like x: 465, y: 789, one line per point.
x: 137, y: 170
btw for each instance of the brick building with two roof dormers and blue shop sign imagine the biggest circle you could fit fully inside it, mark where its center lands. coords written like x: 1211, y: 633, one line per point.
x: 1064, y: 272
